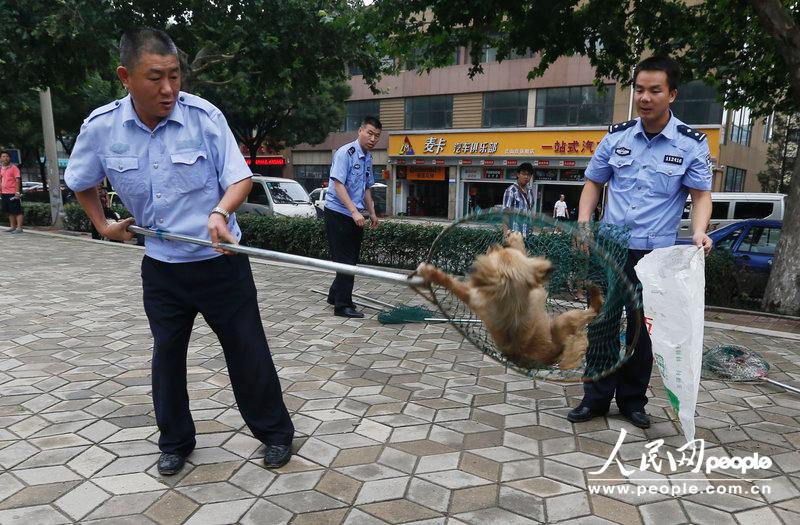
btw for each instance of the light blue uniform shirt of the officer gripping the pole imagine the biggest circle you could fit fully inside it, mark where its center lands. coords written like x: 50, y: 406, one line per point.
x: 170, y: 177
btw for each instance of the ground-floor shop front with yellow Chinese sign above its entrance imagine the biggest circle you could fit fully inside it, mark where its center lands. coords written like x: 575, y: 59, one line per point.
x: 449, y: 174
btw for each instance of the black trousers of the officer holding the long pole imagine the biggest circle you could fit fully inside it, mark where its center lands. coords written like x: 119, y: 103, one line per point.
x: 223, y: 291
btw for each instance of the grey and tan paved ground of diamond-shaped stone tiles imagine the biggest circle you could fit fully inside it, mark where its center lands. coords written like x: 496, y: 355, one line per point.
x: 395, y: 424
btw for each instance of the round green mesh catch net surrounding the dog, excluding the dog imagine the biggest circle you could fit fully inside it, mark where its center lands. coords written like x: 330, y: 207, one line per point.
x: 583, y: 256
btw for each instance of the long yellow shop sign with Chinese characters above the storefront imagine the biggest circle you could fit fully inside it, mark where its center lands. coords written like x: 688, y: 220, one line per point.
x: 539, y: 143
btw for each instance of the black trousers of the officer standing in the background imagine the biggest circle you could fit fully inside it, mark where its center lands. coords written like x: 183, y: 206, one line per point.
x: 344, y: 243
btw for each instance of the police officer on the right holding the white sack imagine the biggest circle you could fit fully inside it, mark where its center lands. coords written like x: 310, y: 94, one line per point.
x: 650, y: 164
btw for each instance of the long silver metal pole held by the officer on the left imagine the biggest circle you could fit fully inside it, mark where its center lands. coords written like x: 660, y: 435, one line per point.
x: 392, y: 277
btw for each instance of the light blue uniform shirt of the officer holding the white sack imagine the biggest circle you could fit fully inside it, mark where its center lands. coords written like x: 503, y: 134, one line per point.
x: 649, y: 179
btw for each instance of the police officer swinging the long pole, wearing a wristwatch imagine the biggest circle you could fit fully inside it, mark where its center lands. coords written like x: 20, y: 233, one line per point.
x: 175, y: 164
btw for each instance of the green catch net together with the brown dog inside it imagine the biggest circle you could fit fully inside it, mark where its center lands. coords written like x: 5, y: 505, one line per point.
x: 550, y: 296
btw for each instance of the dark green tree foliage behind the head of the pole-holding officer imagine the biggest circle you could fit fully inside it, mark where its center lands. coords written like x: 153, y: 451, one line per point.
x: 277, y: 68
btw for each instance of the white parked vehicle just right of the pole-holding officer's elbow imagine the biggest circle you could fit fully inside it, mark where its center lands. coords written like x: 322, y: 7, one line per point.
x: 278, y: 196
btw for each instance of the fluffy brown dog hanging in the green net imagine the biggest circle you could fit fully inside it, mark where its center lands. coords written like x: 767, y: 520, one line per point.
x: 506, y: 289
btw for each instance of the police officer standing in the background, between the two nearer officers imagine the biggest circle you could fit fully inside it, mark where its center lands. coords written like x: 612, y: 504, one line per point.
x: 348, y: 198
